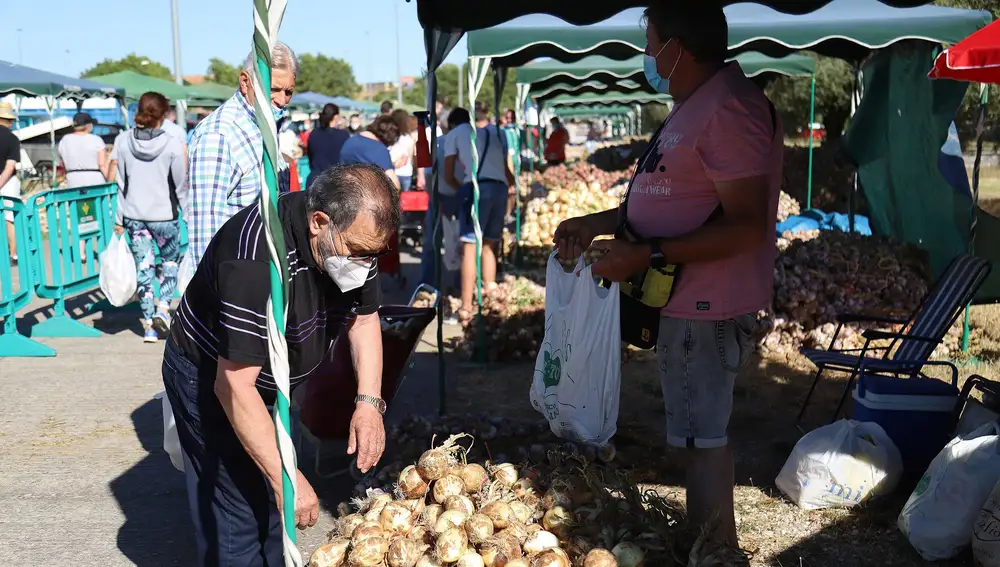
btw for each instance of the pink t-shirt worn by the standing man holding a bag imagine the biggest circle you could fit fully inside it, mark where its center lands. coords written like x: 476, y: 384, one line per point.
x: 722, y: 133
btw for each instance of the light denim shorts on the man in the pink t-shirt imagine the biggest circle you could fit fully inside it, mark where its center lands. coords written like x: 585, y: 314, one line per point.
x: 699, y: 361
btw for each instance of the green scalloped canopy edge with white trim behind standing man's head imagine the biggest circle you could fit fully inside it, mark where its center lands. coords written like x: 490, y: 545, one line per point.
x: 847, y: 29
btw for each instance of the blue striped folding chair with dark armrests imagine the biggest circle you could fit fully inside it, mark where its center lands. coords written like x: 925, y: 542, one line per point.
x: 911, y: 347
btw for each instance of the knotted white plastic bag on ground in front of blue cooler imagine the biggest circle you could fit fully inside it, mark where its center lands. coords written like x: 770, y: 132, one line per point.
x: 840, y: 465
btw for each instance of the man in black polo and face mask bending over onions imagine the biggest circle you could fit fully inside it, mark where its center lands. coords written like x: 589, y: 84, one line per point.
x: 216, y: 364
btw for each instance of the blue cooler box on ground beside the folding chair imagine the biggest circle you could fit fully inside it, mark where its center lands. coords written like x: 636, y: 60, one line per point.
x: 916, y: 413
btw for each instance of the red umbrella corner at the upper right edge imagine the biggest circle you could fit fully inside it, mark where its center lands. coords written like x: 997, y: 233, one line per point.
x: 975, y: 59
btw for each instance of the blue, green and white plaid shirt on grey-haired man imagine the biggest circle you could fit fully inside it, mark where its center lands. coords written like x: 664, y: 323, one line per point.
x: 224, y: 175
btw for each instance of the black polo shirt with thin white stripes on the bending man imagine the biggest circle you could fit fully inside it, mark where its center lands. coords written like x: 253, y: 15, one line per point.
x: 224, y: 308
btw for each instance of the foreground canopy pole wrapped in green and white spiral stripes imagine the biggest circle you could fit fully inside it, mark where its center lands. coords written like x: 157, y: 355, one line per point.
x: 267, y: 20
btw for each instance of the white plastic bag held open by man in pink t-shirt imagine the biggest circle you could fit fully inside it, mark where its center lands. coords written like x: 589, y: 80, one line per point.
x: 578, y: 370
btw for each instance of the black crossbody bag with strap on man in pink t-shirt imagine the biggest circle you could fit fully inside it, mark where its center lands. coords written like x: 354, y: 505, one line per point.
x: 645, y: 293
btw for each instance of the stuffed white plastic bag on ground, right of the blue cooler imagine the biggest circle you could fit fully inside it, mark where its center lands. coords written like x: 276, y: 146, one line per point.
x: 939, y: 515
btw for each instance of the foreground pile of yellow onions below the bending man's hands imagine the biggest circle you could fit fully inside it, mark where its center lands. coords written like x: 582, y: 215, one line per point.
x: 446, y: 510
